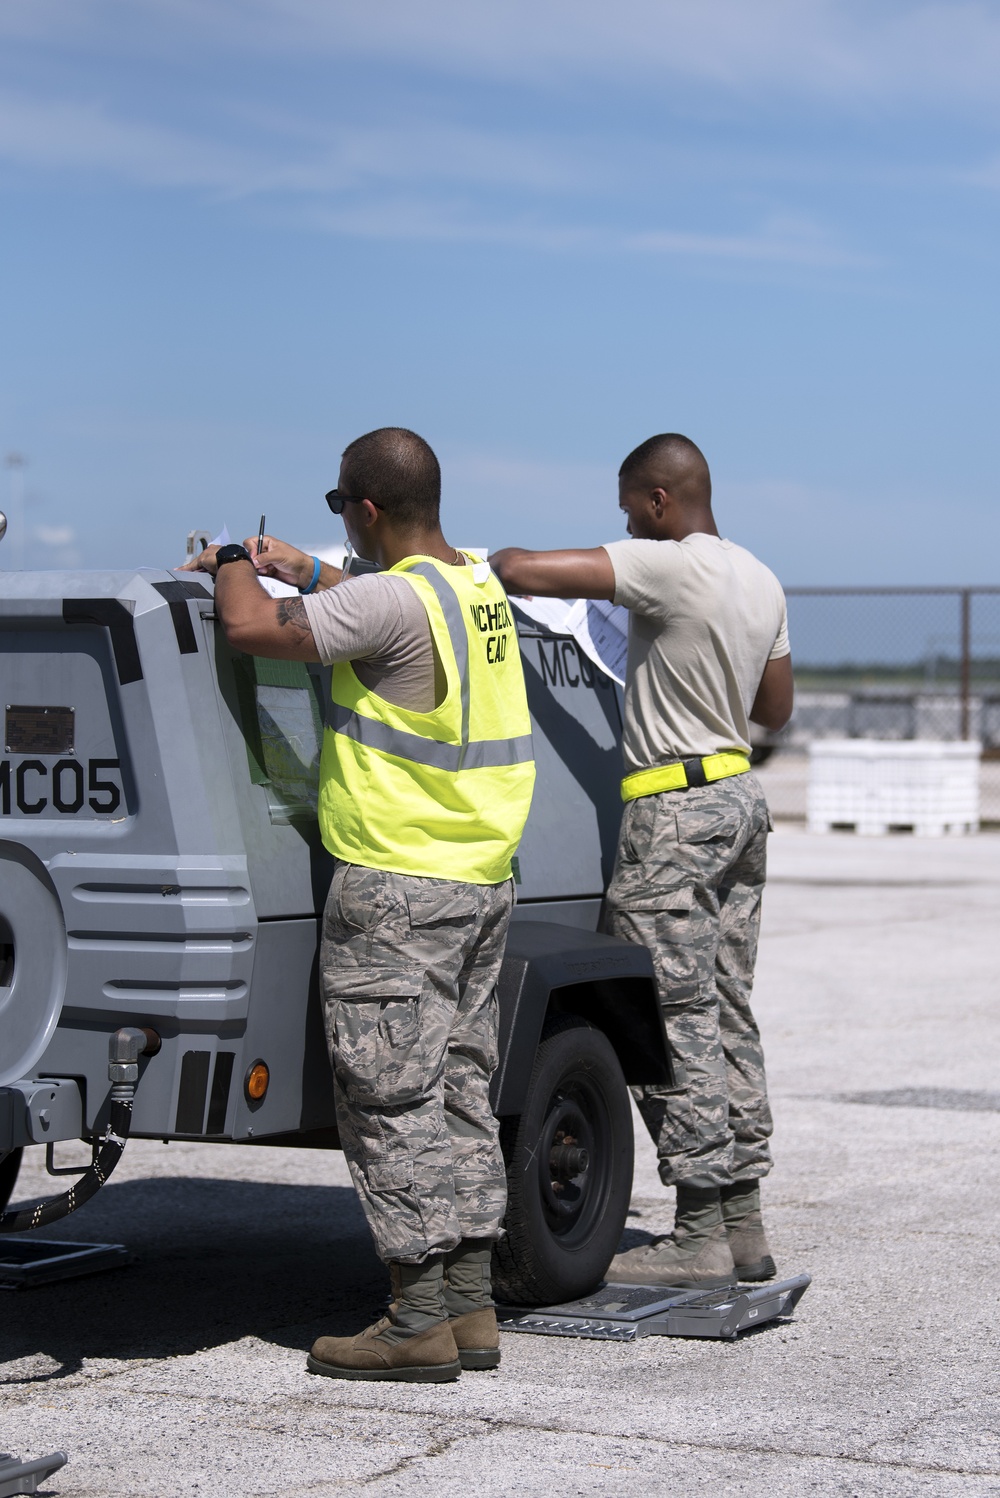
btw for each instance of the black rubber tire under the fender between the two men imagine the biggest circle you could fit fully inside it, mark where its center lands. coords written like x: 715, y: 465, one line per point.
x: 564, y: 1235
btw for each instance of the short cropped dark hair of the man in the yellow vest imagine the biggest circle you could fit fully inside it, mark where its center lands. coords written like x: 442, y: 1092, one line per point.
x: 397, y: 471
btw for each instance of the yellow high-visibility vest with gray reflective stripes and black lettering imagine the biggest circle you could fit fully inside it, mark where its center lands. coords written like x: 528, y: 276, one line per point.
x: 442, y: 795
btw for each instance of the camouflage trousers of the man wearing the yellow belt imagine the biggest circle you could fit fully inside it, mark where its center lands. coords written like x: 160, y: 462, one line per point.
x: 688, y: 883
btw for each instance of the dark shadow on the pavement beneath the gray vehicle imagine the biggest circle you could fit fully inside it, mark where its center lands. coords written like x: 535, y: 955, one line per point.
x: 215, y: 1261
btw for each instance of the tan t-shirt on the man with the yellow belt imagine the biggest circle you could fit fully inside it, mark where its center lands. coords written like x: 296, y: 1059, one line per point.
x: 704, y: 621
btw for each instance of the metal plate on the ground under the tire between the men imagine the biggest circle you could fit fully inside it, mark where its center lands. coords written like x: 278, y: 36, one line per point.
x: 626, y: 1313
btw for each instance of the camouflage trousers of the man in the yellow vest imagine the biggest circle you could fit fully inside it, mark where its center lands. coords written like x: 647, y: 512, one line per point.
x: 409, y: 971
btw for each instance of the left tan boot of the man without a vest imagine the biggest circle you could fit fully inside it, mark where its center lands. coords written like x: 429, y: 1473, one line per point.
x: 697, y: 1255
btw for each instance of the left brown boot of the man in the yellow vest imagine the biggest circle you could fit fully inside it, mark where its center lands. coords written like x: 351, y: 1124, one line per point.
x: 412, y: 1344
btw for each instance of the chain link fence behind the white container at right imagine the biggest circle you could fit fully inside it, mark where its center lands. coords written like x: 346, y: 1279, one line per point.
x: 891, y: 663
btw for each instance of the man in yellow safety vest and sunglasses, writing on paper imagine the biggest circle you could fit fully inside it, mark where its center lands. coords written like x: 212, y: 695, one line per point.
x: 426, y: 783
